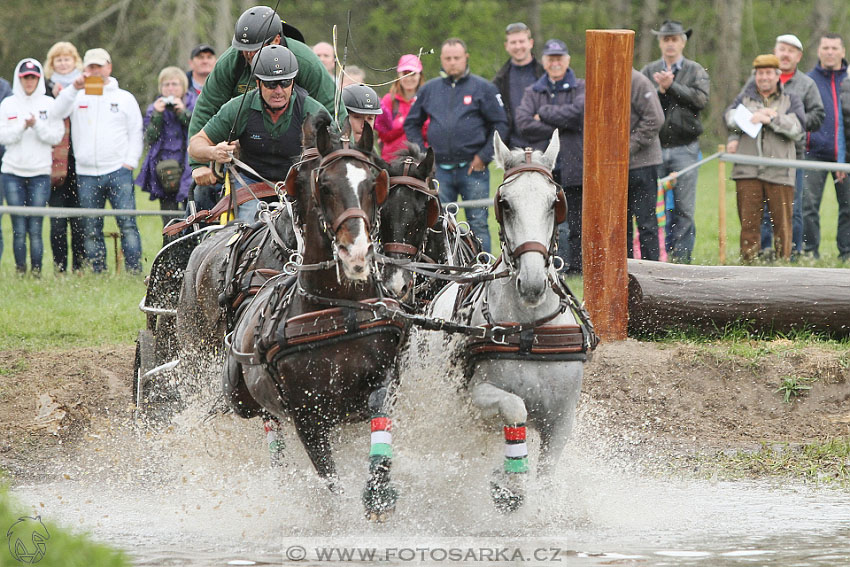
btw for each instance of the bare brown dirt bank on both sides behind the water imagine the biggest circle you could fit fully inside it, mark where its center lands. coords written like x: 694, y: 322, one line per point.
x: 694, y: 398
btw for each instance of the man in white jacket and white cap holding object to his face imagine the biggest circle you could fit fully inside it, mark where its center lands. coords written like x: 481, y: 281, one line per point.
x: 106, y: 130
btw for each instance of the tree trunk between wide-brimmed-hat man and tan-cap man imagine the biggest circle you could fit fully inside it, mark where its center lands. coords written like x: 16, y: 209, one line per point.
x: 728, y: 61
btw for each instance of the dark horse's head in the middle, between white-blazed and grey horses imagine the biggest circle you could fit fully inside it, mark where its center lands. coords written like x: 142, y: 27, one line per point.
x: 412, y: 207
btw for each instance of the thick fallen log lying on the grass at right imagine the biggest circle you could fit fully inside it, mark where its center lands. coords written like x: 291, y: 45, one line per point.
x: 675, y: 296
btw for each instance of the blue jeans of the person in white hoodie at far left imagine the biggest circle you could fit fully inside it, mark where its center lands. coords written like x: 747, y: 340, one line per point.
x: 27, y: 192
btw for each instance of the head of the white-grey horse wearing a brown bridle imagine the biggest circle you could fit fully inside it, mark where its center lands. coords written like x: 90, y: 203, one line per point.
x: 529, y: 205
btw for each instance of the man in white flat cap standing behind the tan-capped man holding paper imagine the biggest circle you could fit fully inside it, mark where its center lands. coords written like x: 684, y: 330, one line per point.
x: 789, y: 51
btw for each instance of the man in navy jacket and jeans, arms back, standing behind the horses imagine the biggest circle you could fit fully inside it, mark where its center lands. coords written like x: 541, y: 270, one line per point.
x: 465, y: 111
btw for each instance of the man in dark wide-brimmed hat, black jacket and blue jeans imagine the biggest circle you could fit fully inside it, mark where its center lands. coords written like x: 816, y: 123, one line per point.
x: 682, y: 87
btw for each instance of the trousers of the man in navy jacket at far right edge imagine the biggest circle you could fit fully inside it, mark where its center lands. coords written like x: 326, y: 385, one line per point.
x: 814, y: 182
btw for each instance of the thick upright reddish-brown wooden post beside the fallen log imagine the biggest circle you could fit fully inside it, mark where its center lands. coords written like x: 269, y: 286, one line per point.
x: 606, y: 175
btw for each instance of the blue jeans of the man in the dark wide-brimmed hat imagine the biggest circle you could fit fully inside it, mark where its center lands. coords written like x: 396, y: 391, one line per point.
x: 680, y: 230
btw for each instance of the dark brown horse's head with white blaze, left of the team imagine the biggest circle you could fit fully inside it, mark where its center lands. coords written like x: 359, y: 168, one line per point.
x: 339, y: 192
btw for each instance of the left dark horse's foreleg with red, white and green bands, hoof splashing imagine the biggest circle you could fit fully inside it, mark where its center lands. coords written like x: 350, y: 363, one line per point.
x: 379, y: 496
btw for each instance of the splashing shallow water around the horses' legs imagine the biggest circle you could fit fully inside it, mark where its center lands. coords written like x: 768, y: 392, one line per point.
x: 201, y: 493
